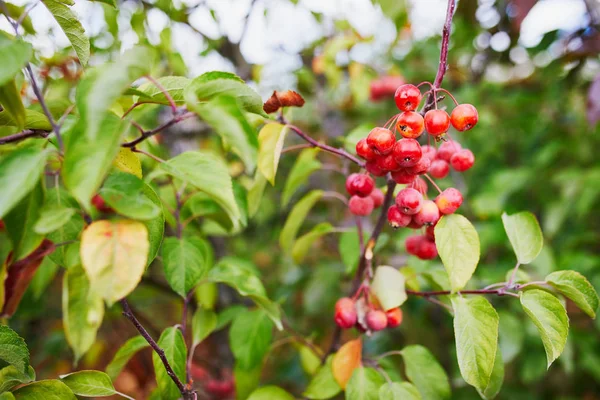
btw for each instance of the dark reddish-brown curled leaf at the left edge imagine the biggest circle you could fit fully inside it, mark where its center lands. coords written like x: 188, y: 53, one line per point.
x: 20, y: 274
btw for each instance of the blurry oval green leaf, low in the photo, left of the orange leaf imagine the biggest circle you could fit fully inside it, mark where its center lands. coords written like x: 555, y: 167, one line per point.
x: 250, y: 338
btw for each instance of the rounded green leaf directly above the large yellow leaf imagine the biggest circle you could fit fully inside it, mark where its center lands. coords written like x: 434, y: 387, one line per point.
x: 123, y: 193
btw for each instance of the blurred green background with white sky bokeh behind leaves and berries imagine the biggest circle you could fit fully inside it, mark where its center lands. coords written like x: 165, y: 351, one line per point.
x: 532, y: 69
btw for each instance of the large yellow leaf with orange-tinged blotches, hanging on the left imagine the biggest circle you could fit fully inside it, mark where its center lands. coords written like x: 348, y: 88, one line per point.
x: 114, y: 255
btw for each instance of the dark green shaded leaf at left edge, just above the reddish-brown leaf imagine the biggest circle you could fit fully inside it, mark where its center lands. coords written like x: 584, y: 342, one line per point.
x: 20, y: 222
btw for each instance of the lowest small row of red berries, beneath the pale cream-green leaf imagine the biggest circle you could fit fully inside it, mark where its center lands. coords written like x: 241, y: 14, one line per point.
x: 348, y: 314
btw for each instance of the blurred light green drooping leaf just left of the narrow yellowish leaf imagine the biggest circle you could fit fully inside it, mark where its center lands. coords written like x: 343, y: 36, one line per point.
x: 224, y: 115
